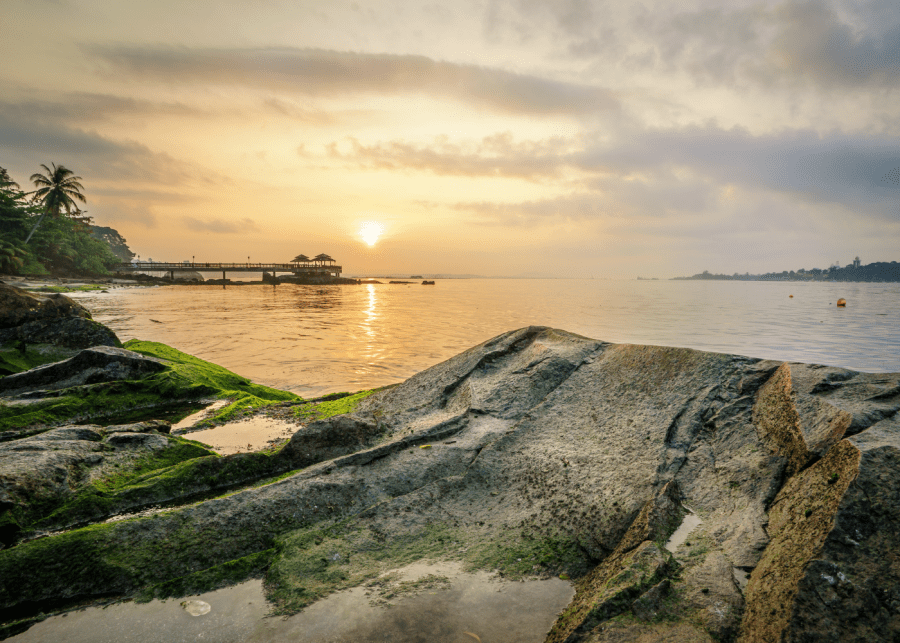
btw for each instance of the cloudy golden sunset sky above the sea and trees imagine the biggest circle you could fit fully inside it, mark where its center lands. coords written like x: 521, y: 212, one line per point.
x: 574, y: 138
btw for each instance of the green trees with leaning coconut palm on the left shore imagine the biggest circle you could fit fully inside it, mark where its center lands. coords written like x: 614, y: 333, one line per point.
x: 44, y: 232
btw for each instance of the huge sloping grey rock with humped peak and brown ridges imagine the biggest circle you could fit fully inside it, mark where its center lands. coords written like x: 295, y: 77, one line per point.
x: 545, y: 436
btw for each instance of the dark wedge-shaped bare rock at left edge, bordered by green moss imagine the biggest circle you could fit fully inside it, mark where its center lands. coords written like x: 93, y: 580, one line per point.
x: 89, y: 366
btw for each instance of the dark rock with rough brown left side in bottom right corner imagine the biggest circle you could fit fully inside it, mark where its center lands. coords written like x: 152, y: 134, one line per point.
x: 831, y: 572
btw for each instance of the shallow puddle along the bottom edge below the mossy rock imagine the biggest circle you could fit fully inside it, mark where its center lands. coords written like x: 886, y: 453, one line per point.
x: 466, y: 608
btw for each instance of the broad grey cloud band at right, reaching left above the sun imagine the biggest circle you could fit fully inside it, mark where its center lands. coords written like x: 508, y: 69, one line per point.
x: 659, y: 171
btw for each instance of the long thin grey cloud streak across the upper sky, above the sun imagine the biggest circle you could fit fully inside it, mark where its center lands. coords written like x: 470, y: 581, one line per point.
x: 326, y: 73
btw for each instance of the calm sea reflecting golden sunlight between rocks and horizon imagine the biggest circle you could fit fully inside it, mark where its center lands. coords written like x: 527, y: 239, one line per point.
x: 321, y: 339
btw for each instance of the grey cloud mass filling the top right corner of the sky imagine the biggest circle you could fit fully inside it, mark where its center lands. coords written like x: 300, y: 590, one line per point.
x: 827, y: 45
